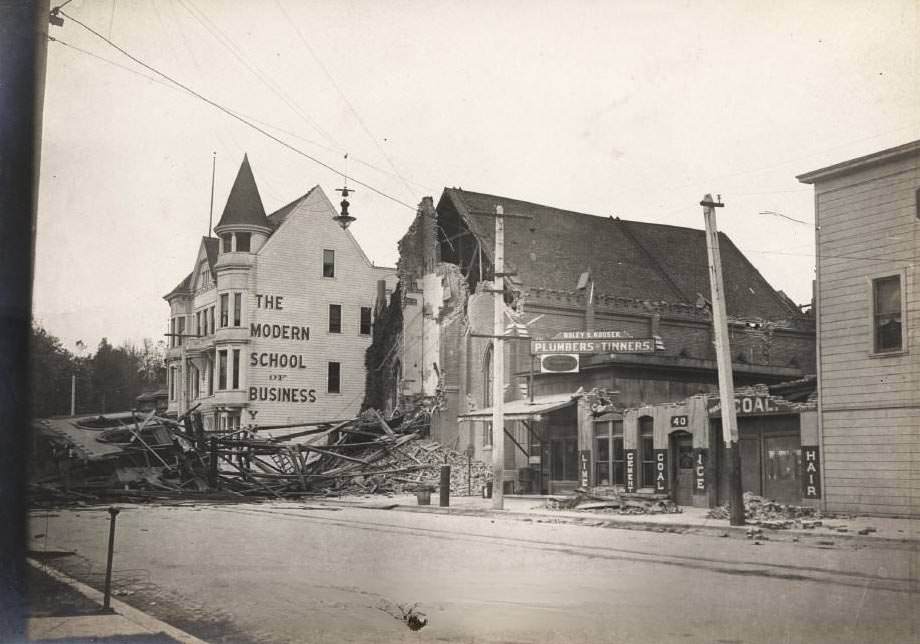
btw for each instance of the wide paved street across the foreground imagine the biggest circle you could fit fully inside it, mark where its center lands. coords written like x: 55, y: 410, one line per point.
x: 307, y: 573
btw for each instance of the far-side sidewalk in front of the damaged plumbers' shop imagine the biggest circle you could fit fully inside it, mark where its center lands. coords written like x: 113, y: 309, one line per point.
x: 876, y: 531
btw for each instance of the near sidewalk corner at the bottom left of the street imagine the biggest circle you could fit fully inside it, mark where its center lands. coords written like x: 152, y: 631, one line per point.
x: 62, y: 609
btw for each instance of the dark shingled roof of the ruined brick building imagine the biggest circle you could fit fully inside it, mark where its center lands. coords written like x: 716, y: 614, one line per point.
x: 631, y: 259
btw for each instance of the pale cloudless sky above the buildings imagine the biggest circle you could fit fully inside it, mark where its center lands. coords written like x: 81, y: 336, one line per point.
x: 632, y: 109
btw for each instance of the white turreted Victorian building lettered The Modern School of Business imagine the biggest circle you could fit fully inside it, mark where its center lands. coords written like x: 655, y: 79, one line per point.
x: 272, y: 323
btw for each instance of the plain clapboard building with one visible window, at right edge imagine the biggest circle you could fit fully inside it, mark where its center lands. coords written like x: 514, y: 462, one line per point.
x: 867, y: 217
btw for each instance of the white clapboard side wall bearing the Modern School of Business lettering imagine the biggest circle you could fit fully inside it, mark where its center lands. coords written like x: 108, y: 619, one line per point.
x: 291, y: 265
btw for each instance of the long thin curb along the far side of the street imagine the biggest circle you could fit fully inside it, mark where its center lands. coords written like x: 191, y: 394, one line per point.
x: 598, y: 520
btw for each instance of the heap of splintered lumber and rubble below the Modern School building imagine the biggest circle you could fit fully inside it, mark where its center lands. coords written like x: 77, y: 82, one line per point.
x: 144, y: 456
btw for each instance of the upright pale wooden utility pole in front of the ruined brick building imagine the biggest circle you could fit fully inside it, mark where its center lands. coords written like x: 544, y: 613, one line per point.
x: 498, y: 365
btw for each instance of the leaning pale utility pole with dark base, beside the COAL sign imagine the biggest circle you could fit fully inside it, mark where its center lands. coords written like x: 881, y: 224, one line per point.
x: 724, y: 362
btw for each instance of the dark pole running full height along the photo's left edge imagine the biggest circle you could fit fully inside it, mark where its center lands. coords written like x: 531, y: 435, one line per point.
x: 24, y: 34
